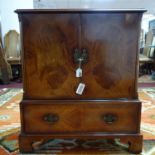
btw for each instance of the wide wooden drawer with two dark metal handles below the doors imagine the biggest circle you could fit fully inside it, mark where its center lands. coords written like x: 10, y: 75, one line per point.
x: 46, y: 117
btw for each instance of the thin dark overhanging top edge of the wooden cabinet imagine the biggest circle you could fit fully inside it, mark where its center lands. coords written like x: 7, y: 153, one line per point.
x: 80, y: 10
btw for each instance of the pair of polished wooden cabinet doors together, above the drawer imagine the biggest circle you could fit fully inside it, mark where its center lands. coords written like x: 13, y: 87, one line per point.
x: 49, y: 40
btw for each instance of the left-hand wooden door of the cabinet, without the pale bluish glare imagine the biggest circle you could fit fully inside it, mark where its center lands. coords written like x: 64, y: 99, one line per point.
x: 48, y: 43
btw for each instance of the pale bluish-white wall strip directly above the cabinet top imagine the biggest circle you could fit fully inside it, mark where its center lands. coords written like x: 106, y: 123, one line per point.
x: 147, y: 4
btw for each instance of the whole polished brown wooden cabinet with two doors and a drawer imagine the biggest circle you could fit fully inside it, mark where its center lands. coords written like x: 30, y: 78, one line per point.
x: 80, y: 78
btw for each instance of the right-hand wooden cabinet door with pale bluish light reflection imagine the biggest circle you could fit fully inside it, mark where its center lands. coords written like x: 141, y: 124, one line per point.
x: 112, y: 44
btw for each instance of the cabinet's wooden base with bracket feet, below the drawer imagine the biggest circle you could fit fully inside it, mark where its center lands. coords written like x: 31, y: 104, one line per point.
x: 68, y: 143
